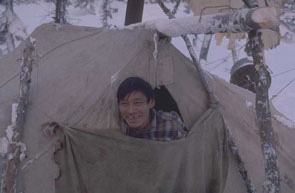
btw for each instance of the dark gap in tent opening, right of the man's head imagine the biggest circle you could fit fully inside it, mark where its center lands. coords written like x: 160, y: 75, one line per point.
x: 164, y: 101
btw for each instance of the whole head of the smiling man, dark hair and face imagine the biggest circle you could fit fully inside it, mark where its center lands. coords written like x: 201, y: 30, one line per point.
x: 135, y: 99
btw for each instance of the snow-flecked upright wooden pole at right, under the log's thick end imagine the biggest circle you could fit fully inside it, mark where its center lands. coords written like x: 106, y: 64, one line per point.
x: 272, y: 176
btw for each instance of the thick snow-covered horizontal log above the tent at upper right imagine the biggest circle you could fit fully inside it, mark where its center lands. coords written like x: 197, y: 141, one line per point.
x: 243, y: 20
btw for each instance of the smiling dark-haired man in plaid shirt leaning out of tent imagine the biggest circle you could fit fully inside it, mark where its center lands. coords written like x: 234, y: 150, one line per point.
x: 139, y: 118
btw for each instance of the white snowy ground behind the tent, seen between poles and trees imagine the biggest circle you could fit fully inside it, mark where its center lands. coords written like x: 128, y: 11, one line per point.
x: 219, y: 62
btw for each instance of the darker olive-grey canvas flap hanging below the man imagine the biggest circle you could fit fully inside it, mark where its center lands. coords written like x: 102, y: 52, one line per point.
x: 109, y: 162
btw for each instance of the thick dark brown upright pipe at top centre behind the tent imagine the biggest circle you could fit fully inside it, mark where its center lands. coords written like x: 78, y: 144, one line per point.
x: 134, y: 11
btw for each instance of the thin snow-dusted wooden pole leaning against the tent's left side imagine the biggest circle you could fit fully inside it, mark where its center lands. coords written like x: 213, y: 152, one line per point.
x: 29, y: 58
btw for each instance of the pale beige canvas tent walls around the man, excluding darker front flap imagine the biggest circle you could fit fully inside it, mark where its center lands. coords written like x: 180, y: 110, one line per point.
x: 75, y: 83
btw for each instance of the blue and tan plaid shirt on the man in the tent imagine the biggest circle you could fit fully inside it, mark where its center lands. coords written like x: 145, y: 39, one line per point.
x: 164, y: 127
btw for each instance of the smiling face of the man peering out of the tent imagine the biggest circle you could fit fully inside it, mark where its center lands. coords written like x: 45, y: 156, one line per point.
x: 135, y: 110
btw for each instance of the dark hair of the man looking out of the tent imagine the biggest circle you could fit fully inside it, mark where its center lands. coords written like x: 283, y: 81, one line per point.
x: 132, y: 84
